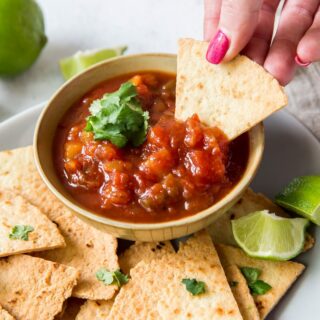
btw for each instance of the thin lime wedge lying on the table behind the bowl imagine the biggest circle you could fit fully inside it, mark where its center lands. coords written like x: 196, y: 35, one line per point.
x: 84, y: 59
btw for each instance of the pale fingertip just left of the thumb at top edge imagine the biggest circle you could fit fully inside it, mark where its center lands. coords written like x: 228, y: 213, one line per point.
x: 211, y: 18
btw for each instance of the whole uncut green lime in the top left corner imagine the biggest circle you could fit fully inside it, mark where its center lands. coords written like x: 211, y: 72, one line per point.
x: 21, y: 35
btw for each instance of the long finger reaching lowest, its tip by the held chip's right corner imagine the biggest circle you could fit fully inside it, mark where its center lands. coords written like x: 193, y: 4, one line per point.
x: 295, y: 20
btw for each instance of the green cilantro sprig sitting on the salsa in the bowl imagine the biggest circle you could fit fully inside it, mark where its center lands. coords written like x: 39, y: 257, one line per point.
x: 118, y: 117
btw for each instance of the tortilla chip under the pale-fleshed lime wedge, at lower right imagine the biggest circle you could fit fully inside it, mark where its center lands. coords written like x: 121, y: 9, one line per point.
x: 279, y: 275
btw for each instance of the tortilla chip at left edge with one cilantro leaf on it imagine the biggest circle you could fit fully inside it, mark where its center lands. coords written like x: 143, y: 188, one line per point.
x: 15, y: 210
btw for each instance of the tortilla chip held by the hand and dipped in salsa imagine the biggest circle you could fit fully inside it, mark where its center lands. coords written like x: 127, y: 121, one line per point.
x: 233, y: 96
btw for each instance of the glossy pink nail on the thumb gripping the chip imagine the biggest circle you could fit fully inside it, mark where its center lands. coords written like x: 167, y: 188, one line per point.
x: 217, y: 48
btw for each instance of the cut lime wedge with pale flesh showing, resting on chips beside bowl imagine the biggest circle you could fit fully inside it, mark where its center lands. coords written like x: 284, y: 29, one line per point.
x: 264, y: 235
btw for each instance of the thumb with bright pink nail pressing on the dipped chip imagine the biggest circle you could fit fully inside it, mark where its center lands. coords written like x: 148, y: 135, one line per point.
x: 238, y: 20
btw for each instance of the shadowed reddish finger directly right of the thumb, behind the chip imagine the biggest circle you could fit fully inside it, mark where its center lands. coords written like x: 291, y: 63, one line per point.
x: 259, y: 45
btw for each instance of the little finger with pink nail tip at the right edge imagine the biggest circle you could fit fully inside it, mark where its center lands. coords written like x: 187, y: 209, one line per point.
x: 309, y: 47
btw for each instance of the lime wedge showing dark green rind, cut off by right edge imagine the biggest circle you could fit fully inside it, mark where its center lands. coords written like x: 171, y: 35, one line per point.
x: 302, y: 196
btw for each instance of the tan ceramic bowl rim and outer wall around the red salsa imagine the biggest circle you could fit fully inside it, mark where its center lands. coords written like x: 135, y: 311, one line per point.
x: 71, y: 92
